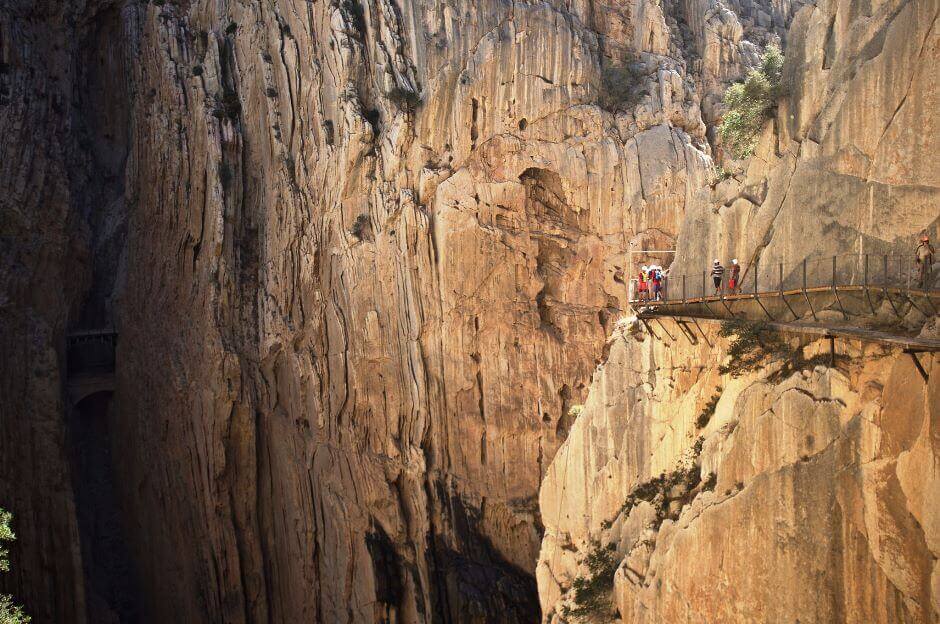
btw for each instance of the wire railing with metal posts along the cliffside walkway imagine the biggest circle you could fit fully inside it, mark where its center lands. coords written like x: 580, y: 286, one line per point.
x: 837, y: 273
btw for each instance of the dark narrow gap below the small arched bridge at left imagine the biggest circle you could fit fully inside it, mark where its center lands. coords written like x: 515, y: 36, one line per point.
x: 111, y: 588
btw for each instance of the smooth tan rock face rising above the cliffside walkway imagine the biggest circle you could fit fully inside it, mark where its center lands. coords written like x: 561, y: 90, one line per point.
x: 847, y: 166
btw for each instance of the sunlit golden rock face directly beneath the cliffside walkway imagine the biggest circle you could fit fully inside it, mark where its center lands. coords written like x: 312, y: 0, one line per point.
x: 712, y: 492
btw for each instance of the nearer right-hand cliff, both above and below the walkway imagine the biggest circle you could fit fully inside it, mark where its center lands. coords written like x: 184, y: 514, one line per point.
x: 683, y: 494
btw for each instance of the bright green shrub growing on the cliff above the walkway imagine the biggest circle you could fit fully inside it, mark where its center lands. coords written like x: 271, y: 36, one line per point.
x: 750, y: 103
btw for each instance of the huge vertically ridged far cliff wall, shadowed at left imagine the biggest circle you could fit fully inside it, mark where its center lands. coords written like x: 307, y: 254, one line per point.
x: 362, y: 258
